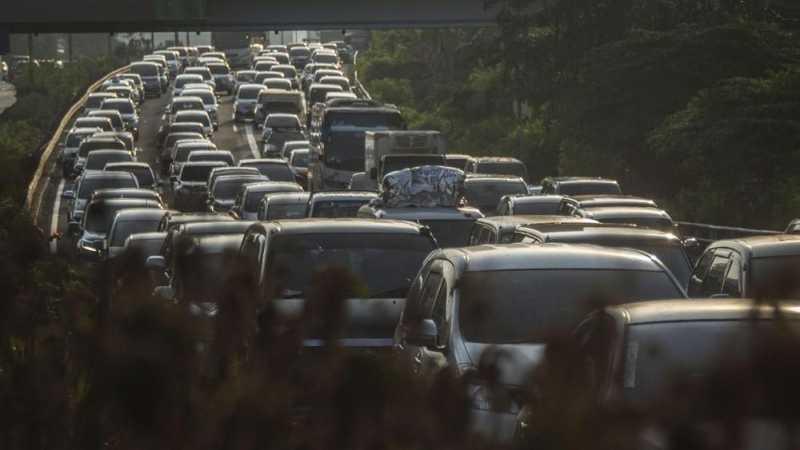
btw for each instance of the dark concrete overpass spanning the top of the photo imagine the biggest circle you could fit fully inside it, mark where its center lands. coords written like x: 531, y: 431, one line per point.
x: 59, y: 16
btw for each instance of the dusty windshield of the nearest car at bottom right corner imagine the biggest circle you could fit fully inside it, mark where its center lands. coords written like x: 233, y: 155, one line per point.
x: 656, y: 353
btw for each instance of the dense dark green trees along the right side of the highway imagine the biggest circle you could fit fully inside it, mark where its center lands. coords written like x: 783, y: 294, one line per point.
x: 602, y: 85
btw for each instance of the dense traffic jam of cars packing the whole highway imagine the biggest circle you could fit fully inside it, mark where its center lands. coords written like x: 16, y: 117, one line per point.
x: 452, y: 255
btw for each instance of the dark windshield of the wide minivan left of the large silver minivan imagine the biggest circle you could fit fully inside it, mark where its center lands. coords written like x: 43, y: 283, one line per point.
x: 382, y: 264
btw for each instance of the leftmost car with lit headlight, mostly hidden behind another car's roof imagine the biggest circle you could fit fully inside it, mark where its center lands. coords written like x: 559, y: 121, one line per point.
x: 97, y: 221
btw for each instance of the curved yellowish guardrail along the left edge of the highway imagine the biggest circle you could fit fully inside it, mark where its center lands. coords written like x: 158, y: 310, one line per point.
x: 36, y: 190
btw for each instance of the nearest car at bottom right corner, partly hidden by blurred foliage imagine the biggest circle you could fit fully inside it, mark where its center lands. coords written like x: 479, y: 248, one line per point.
x: 653, y: 356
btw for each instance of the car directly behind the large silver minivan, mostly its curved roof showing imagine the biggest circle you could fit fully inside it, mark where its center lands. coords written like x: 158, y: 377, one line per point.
x: 665, y: 246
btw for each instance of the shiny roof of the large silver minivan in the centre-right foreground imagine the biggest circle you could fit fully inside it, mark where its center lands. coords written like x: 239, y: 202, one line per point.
x: 549, y: 257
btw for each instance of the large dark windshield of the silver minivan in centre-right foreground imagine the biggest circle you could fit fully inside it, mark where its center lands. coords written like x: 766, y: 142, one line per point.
x: 515, y: 306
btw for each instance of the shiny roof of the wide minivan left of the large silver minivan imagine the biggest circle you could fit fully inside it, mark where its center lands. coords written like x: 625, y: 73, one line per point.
x: 341, y: 226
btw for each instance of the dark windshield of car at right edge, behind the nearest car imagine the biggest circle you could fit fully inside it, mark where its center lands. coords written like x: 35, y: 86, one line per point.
x: 775, y: 277
